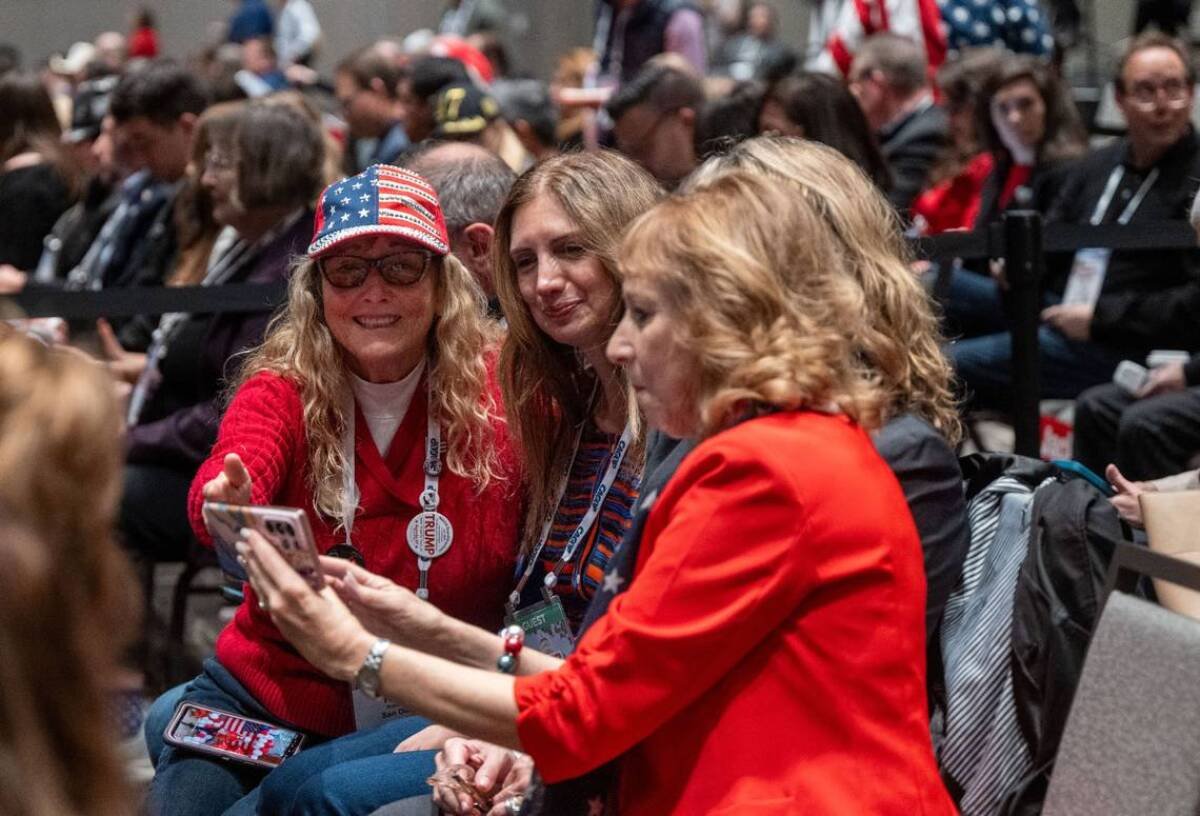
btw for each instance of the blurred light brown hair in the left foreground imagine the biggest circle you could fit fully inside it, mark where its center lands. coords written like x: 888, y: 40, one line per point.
x: 69, y: 602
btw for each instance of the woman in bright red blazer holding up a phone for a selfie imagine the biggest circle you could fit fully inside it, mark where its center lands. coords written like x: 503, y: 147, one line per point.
x: 769, y: 656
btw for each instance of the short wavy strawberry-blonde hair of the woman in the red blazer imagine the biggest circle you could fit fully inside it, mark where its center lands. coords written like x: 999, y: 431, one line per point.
x: 759, y: 283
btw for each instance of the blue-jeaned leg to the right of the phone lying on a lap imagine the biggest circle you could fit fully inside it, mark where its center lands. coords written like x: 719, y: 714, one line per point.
x: 352, y: 776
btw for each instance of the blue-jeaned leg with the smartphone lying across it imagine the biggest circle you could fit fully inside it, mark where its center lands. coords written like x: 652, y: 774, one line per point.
x: 193, y: 784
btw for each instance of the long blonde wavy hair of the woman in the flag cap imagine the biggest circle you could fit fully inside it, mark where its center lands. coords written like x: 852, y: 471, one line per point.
x: 301, y: 347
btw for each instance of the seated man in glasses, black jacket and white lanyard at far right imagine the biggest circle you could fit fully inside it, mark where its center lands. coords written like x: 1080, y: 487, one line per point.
x: 1114, y: 305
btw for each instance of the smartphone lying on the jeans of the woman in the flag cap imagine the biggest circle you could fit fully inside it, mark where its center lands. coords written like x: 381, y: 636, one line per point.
x: 231, y: 736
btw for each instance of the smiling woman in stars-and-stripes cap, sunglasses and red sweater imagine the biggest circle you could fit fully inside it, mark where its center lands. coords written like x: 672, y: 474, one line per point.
x: 373, y: 406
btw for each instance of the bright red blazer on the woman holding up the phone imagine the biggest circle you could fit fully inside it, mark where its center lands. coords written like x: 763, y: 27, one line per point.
x: 770, y: 656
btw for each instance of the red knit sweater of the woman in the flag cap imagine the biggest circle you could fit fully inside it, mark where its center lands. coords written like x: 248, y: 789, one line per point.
x: 265, y: 427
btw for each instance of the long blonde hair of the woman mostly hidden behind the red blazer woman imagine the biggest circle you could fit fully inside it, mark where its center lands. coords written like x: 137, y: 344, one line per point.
x: 902, y: 341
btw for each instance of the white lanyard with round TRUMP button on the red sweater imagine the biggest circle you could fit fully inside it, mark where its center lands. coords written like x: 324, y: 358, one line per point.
x: 430, y: 533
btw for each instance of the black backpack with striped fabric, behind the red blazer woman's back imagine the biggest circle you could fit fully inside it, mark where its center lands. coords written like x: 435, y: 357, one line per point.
x: 1003, y: 716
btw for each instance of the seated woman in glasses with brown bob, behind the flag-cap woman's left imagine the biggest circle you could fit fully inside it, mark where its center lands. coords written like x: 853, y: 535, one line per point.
x: 256, y: 184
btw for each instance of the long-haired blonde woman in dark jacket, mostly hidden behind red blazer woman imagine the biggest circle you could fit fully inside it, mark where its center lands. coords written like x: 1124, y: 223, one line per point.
x: 901, y: 345
